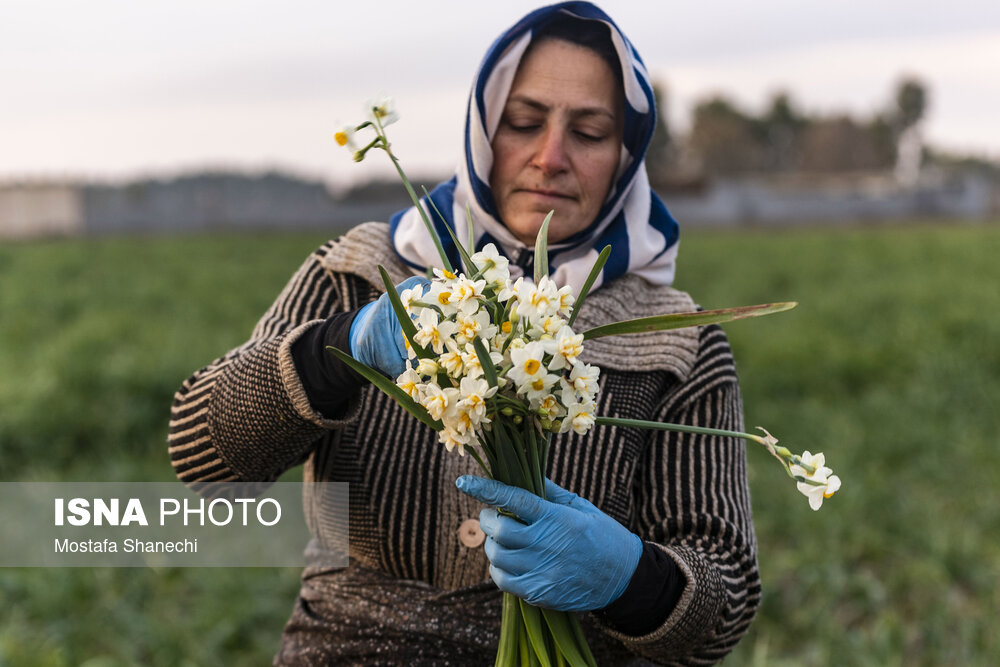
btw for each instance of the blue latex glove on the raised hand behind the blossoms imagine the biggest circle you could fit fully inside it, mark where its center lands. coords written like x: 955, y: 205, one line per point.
x: 376, y: 338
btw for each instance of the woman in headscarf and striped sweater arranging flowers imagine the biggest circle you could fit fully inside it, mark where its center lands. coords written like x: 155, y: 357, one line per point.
x: 662, y: 551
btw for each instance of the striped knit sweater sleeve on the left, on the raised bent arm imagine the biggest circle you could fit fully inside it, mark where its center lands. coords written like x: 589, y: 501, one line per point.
x: 247, y: 416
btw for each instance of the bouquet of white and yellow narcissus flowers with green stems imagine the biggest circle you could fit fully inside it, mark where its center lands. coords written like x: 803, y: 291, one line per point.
x: 494, y: 367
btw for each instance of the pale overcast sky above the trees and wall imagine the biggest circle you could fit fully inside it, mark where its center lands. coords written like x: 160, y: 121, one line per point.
x: 113, y: 88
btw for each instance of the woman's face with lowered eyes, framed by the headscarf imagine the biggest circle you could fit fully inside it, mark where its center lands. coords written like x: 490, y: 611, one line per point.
x: 557, y: 145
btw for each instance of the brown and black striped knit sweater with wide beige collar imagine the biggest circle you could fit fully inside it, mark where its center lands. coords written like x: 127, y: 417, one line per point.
x: 414, y: 592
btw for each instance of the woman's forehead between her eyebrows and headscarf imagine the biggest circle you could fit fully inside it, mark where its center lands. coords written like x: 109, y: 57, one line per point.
x: 560, y: 74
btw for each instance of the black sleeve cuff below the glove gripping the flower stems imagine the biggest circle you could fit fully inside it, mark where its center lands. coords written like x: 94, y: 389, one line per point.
x: 652, y: 593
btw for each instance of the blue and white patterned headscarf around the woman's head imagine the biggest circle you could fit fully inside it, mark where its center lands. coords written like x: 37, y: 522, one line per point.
x: 633, y: 221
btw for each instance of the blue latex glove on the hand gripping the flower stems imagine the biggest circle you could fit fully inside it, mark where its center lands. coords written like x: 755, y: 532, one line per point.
x: 567, y: 555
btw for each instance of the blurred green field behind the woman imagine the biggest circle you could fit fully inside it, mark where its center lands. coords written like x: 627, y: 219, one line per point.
x: 890, y: 365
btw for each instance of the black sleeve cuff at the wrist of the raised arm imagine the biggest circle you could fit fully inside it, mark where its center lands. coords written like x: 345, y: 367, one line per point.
x: 328, y: 382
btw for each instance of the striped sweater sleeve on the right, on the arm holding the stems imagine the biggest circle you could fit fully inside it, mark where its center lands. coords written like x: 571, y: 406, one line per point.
x: 694, y: 504
